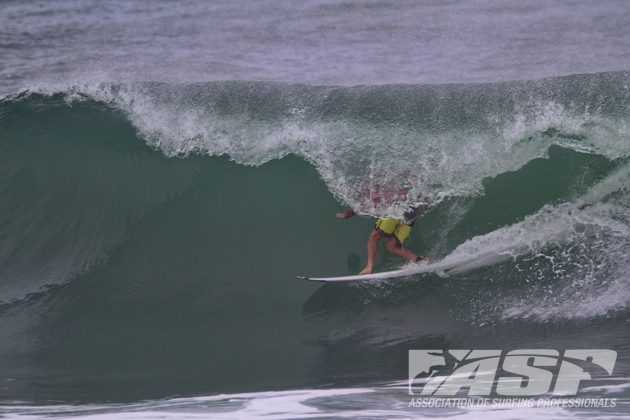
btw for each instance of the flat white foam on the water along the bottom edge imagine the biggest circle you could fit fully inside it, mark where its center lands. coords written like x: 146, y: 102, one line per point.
x: 377, y: 402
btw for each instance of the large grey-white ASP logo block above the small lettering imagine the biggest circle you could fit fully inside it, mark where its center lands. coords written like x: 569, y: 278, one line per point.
x: 516, y: 373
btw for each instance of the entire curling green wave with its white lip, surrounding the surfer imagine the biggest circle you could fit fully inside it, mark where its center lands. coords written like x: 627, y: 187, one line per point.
x: 159, y: 228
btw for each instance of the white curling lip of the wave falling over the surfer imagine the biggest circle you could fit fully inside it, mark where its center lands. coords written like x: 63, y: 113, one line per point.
x: 432, y: 141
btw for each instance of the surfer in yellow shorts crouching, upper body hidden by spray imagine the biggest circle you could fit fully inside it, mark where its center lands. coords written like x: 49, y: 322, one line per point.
x: 396, y: 231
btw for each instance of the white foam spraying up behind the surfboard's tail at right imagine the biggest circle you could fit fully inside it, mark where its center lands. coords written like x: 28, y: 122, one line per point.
x: 582, y: 245
